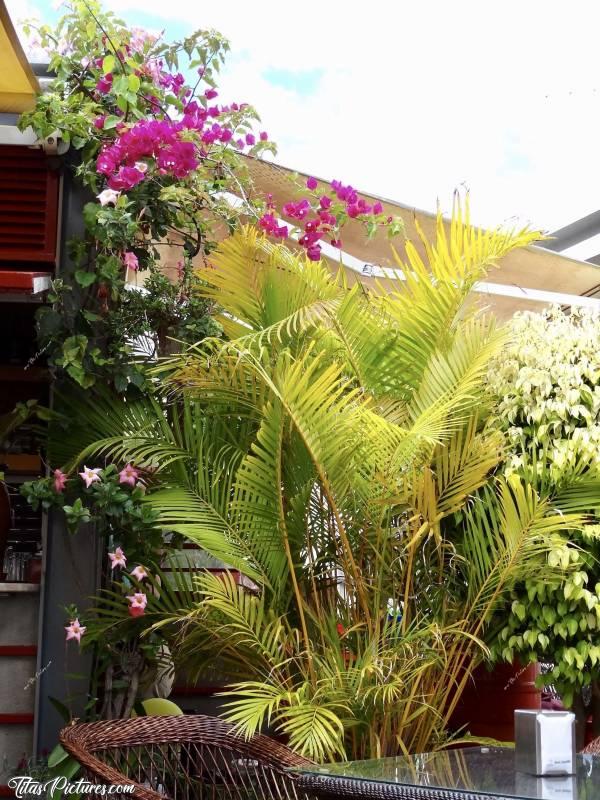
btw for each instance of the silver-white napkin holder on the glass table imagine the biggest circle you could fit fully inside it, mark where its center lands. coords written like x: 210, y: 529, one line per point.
x: 545, y: 742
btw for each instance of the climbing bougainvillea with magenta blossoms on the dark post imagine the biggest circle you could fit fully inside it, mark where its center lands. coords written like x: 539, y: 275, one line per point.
x: 160, y: 154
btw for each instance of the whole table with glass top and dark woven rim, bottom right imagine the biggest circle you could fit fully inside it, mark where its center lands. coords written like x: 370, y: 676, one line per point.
x: 474, y: 773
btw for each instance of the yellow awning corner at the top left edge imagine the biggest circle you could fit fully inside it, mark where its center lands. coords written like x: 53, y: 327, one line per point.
x: 18, y: 84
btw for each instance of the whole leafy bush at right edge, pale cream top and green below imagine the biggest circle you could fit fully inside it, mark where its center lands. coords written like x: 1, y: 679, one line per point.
x: 546, y: 385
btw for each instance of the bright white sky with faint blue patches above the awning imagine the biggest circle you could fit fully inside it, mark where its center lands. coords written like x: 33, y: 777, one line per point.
x: 410, y: 100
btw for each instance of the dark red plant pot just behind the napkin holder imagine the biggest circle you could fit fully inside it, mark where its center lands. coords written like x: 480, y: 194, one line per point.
x: 490, y: 698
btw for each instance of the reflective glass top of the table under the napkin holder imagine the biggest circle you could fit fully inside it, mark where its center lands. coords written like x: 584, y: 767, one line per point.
x: 479, y: 770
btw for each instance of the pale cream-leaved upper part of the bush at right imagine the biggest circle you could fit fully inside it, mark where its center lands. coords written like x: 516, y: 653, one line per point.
x: 547, y: 382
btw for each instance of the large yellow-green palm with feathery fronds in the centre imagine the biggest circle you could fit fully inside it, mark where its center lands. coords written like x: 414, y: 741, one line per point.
x: 330, y: 450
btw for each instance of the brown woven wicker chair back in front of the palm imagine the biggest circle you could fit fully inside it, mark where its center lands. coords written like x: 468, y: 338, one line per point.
x: 183, y: 758
